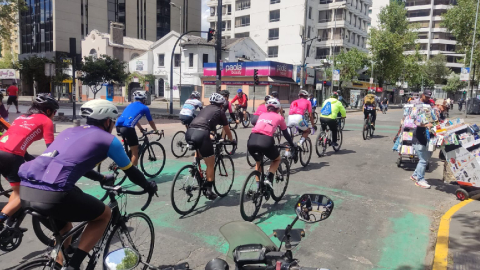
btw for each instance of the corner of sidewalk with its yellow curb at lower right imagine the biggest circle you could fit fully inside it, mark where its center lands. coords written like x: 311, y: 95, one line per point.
x: 458, y: 241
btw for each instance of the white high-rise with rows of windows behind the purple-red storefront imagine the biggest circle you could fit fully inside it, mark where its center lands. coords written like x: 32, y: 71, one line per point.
x: 277, y: 26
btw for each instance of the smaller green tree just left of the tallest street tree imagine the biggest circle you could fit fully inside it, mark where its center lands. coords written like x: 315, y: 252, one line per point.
x: 349, y: 63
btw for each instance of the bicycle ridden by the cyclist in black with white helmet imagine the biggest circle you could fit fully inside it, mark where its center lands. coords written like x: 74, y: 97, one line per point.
x: 190, y: 181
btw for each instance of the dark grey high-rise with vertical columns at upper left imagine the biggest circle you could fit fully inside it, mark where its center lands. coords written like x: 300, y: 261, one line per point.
x: 46, y: 35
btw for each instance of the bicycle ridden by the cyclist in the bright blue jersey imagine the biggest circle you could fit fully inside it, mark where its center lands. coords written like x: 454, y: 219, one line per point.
x: 145, y: 148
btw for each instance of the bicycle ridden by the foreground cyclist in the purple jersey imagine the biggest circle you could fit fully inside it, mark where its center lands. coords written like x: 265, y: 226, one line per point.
x: 118, y: 234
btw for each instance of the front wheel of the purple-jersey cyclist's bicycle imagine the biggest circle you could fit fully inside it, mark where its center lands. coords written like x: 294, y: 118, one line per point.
x: 136, y: 232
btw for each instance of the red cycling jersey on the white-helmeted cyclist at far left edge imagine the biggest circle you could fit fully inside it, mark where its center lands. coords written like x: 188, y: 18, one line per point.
x: 24, y: 131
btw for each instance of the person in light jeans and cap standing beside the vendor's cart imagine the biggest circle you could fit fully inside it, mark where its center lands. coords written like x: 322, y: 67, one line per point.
x: 420, y: 141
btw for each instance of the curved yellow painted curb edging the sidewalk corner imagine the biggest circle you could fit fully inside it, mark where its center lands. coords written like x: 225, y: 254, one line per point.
x: 441, y: 248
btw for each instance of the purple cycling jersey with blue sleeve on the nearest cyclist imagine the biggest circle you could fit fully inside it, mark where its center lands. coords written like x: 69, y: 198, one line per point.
x: 79, y: 149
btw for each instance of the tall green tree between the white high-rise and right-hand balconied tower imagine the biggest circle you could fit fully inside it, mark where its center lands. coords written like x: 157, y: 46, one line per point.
x: 388, y: 42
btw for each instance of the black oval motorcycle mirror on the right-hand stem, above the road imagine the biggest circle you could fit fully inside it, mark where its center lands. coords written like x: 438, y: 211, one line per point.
x: 313, y: 208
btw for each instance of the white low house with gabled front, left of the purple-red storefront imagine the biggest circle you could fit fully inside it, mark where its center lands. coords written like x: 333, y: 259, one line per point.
x: 189, y: 59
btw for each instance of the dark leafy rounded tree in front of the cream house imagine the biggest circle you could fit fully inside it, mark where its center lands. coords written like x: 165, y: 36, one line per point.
x: 98, y: 71
